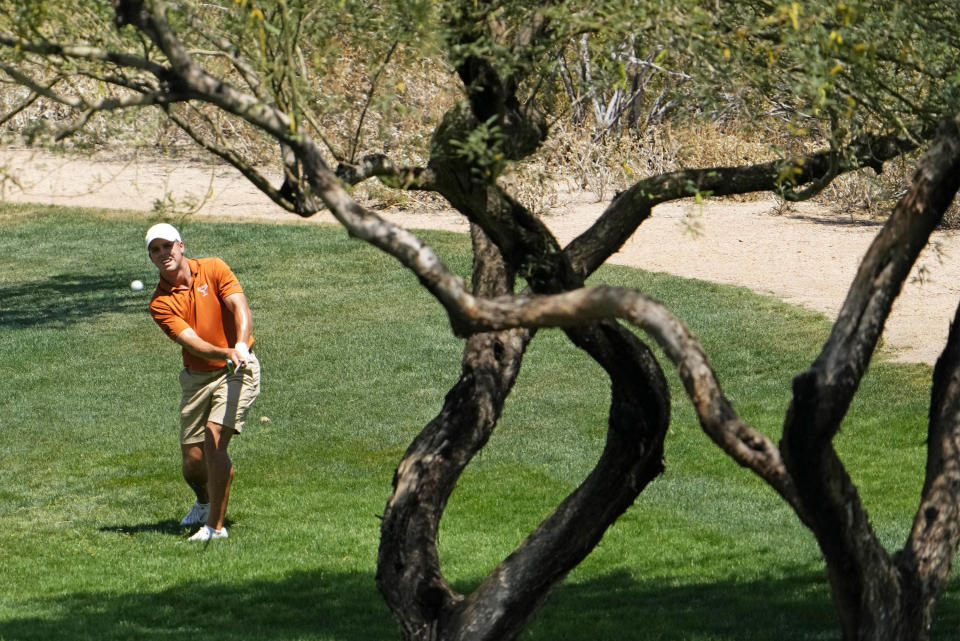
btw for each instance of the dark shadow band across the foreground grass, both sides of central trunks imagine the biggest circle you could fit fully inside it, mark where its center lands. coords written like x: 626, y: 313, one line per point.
x: 321, y: 605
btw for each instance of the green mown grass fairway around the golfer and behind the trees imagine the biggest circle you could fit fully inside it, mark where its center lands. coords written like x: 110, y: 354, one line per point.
x: 357, y: 358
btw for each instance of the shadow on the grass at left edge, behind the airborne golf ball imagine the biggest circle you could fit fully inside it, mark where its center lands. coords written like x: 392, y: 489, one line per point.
x: 64, y: 299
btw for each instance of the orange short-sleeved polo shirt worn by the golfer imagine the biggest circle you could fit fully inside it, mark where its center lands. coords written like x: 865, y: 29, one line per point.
x: 201, y: 307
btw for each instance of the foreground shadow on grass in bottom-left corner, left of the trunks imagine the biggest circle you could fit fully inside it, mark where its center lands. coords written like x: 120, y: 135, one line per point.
x: 306, y: 605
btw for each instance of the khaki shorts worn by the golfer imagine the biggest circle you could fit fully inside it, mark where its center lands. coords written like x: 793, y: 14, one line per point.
x: 217, y: 397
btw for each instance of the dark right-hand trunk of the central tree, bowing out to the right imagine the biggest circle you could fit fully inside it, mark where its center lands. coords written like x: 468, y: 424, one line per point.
x: 633, y: 456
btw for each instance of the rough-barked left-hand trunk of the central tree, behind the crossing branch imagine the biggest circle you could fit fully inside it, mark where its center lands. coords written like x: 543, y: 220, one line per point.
x: 408, y: 566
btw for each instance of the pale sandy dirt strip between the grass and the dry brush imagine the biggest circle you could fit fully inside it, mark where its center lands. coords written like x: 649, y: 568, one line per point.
x: 805, y: 257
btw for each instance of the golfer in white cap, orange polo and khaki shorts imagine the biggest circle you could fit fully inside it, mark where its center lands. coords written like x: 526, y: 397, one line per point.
x: 200, y: 305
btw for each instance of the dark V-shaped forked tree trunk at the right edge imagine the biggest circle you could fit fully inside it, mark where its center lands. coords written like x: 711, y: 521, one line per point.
x: 877, y: 598
